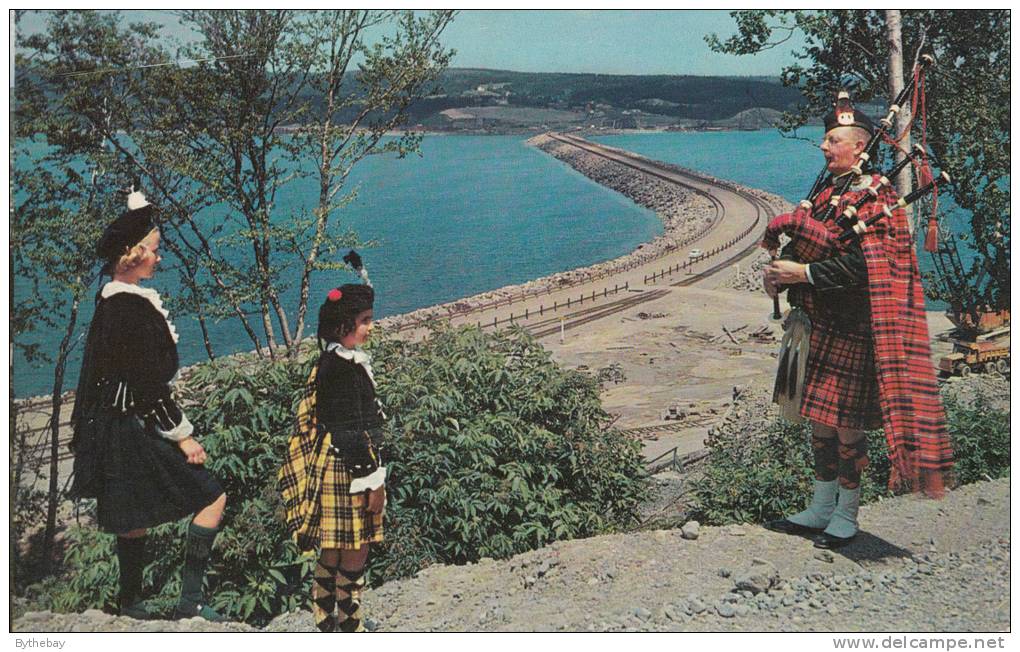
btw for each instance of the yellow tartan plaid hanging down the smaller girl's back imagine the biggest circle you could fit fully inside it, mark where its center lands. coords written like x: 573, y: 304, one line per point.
x: 304, y: 468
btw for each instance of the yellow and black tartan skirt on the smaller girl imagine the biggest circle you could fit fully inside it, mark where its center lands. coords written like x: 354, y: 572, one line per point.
x: 345, y: 524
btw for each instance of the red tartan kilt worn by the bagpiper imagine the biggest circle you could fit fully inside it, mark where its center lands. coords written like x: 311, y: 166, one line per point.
x: 841, y: 382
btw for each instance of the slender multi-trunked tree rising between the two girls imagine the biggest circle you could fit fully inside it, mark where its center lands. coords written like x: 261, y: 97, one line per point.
x: 273, y: 102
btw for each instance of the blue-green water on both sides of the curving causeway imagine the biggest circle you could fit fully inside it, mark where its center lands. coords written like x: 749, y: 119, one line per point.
x: 479, y: 213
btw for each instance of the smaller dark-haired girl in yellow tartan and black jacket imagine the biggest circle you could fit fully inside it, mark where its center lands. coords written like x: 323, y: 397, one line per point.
x: 333, y: 478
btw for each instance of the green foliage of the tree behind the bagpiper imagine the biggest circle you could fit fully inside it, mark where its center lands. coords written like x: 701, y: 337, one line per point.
x: 967, y: 102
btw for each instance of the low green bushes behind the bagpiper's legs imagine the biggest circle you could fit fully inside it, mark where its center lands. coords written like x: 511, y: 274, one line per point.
x: 757, y: 474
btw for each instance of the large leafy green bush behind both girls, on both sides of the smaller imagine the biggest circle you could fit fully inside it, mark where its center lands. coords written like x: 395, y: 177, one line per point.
x: 494, y: 450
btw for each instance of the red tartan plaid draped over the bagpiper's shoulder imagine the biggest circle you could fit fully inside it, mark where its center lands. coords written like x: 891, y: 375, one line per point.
x: 913, y: 417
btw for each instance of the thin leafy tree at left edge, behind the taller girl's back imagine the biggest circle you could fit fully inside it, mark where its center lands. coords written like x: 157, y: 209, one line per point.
x: 65, y: 188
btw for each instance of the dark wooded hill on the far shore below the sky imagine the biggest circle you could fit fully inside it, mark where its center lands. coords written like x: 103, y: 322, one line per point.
x: 486, y: 101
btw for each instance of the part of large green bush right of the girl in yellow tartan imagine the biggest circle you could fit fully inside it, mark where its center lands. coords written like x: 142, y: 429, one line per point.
x: 496, y: 450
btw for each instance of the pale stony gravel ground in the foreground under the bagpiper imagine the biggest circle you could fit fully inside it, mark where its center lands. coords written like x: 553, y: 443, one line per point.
x: 920, y: 565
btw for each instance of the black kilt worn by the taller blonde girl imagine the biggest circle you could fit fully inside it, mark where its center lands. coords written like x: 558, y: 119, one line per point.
x: 139, y: 480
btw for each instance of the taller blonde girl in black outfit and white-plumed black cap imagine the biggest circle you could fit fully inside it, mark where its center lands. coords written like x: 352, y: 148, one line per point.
x: 135, y: 450
